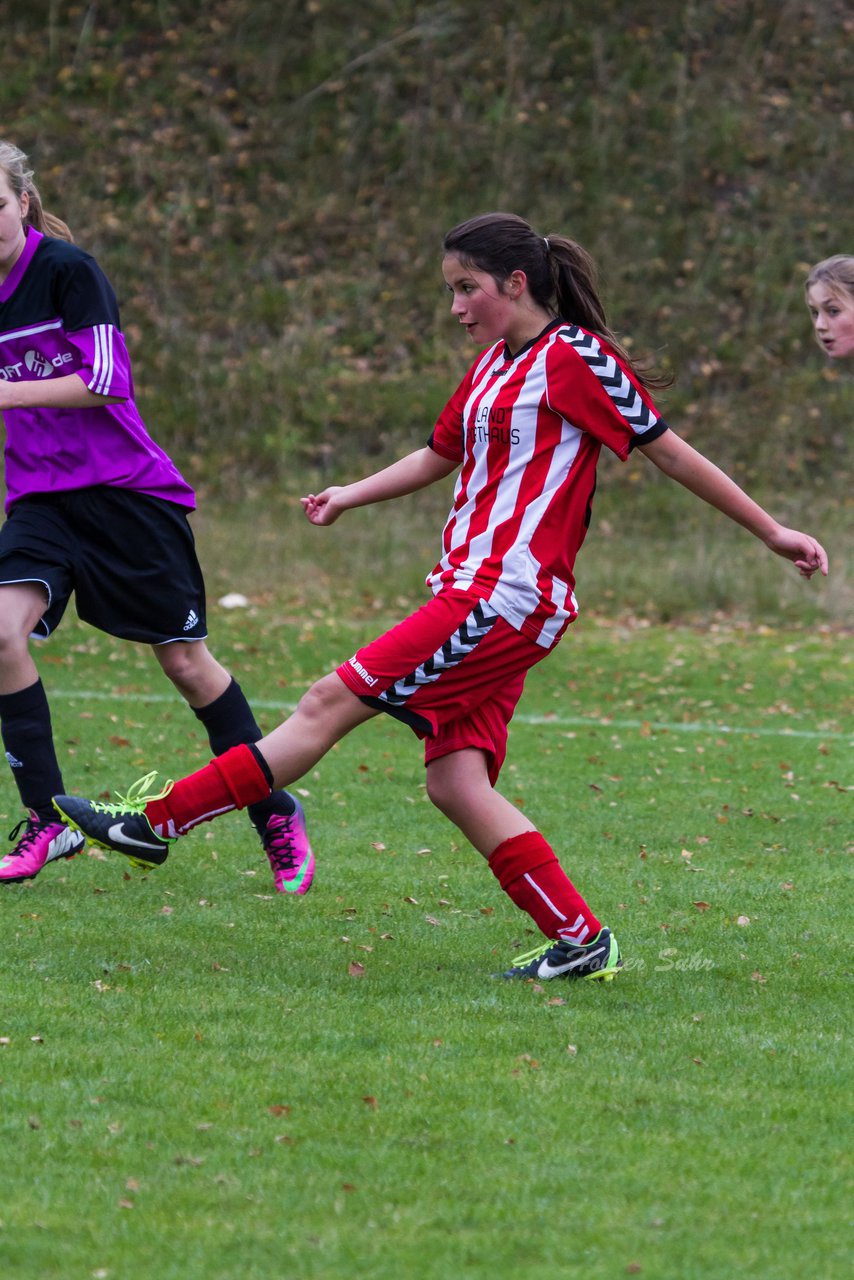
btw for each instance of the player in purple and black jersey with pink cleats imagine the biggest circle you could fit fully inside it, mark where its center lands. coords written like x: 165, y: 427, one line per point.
x: 94, y: 508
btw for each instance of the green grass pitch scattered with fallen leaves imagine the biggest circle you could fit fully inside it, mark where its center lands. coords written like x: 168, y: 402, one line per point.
x: 203, y: 1081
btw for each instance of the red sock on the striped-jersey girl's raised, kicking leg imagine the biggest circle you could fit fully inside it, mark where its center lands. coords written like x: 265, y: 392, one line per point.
x: 232, y: 781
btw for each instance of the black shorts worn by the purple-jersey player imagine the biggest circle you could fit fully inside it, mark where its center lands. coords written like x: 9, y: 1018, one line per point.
x: 129, y: 559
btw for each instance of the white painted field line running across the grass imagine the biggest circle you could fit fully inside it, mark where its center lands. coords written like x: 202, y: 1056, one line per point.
x: 651, y: 726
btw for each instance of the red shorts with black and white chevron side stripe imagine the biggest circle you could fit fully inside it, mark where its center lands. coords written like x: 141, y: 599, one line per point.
x: 453, y: 671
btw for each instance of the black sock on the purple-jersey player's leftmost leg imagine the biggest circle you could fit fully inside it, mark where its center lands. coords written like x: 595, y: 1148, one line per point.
x: 29, y: 742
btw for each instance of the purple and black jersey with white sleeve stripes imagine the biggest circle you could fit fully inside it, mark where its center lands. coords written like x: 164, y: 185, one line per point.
x: 60, y: 316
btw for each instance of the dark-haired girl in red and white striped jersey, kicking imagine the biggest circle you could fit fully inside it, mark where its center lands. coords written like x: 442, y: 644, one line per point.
x: 523, y: 432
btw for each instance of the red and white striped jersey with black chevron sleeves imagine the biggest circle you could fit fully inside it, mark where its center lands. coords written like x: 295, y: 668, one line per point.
x: 528, y: 432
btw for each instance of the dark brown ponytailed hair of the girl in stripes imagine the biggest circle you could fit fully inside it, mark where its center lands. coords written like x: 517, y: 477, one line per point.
x: 561, y: 275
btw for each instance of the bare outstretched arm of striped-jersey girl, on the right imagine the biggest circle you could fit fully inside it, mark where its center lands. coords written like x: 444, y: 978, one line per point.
x: 682, y: 463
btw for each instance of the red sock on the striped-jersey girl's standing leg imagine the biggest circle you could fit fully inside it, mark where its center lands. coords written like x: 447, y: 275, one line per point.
x: 531, y: 875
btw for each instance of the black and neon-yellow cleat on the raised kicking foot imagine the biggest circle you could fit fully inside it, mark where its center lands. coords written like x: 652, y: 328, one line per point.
x: 124, y: 826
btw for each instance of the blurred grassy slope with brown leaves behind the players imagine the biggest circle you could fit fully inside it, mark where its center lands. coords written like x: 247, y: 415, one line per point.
x: 268, y: 184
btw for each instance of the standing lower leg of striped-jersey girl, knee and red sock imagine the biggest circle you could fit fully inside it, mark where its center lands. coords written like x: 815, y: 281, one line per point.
x: 519, y: 857
